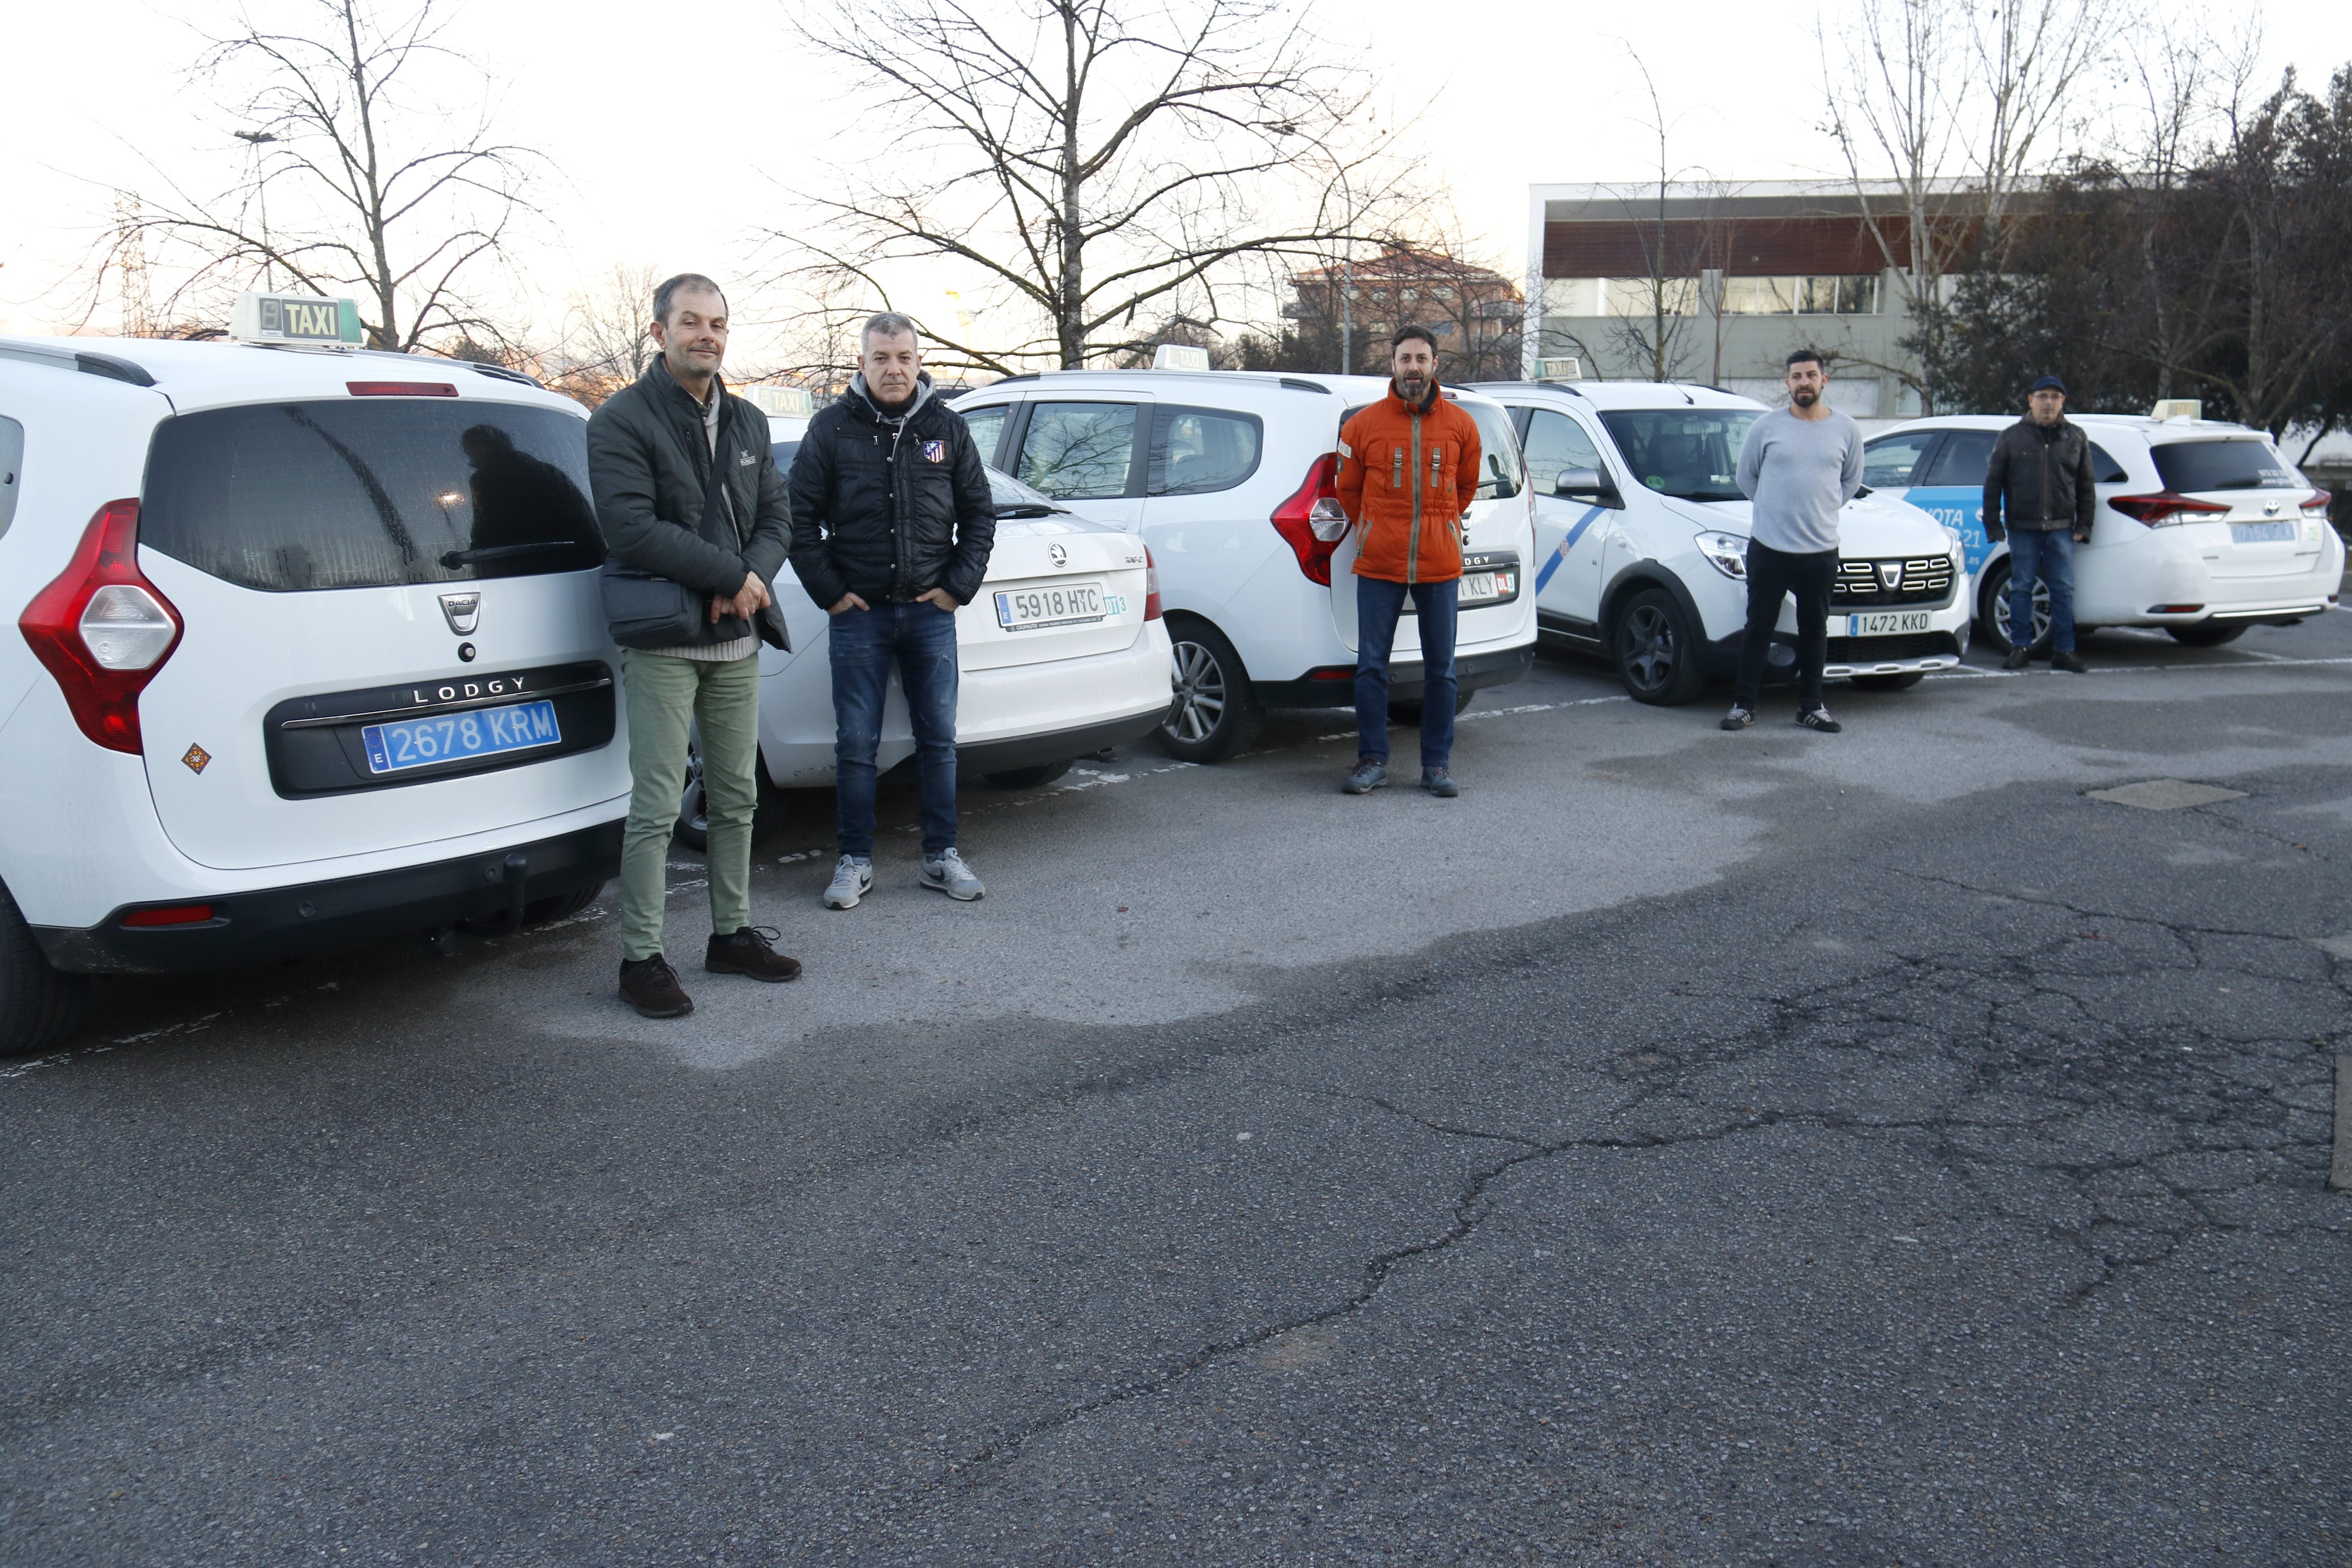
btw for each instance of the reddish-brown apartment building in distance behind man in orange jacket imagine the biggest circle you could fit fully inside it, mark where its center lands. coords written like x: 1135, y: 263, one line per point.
x: 1474, y: 311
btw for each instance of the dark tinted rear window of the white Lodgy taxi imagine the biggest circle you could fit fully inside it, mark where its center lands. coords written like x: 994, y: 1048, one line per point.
x: 298, y: 497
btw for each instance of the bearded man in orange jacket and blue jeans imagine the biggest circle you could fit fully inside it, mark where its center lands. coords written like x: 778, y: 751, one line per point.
x: 1408, y: 474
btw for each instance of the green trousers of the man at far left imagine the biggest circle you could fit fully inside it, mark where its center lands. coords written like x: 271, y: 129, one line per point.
x: 664, y: 697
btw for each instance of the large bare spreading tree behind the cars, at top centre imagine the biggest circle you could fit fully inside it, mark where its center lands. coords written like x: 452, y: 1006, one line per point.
x: 1104, y: 163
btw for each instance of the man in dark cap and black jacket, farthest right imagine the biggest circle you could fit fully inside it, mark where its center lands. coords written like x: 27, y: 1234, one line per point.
x: 2038, y: 492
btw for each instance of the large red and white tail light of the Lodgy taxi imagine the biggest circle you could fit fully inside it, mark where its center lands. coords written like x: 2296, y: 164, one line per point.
x: 102, y: 629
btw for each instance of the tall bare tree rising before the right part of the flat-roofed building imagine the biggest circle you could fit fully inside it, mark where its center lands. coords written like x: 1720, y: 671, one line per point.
x: 1960, y: 107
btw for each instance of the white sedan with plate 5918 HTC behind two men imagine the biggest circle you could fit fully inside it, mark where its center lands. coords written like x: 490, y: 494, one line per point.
x: 1062, y: 657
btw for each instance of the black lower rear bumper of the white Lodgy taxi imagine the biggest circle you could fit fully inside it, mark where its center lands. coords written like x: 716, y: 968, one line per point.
x: 265, y: 925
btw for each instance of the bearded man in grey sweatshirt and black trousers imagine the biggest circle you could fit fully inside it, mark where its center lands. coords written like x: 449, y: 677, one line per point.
x: 1798, y: 467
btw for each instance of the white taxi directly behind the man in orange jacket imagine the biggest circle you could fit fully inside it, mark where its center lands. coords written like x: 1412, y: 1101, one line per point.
x: 1227, y: 476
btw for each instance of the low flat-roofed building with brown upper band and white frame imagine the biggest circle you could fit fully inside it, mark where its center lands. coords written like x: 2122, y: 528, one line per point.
x: 1720, y: 283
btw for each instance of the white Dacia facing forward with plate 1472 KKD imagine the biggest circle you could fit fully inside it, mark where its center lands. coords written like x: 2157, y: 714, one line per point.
x: 1643, y: 547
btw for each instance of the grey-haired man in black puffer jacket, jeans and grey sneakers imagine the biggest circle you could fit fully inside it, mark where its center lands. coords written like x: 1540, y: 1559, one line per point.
x: 893, y: 528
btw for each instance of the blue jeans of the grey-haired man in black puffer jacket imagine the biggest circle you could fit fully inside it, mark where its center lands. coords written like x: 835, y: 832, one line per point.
x: 864, y: 645
